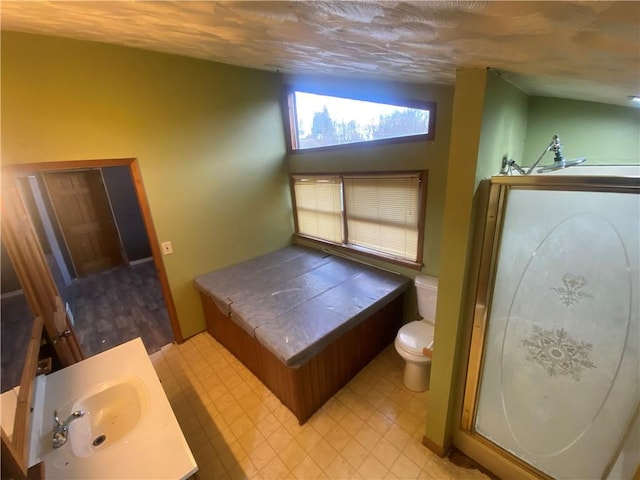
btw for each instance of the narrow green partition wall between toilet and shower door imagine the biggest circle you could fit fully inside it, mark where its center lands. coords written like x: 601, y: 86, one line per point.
x: 489, y: 122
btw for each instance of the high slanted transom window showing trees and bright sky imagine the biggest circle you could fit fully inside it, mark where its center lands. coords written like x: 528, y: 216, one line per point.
x: 323, y: 121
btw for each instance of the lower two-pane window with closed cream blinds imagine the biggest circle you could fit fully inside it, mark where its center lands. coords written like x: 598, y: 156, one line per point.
x: 381, y: 214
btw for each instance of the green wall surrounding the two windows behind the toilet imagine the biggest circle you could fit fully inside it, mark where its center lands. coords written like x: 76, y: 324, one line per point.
x: 430, y: 155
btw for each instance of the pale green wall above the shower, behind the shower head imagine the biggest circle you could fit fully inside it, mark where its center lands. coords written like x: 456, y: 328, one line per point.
x: 604, y: 134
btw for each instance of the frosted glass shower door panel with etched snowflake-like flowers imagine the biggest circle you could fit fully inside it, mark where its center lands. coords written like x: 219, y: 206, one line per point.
x: 560, y: 377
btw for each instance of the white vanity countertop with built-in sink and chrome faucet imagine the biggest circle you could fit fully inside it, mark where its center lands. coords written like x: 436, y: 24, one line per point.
x: 124, y: 400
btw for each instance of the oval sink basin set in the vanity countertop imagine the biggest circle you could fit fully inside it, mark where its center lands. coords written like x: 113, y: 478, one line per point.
x: 112, y: 411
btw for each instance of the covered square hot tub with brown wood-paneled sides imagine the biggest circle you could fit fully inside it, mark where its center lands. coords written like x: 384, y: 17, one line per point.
x: 304, y: 322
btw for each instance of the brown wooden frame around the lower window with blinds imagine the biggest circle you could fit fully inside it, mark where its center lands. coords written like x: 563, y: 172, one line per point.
x: 346, y: 247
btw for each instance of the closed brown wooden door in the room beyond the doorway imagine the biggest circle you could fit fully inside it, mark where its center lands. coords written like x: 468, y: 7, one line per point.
x: 82, y: 207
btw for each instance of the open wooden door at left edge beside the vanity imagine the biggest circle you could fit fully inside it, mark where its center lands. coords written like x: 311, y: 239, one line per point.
x: 35, y: 277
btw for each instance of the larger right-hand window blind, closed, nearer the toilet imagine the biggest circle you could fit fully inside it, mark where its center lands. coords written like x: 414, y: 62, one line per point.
x: 382, y: 213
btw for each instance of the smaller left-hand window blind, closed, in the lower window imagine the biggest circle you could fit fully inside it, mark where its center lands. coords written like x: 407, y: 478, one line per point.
x: 319, y: 207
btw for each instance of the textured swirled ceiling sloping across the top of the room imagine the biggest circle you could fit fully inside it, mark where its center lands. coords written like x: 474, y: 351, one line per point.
x: 583, y: 50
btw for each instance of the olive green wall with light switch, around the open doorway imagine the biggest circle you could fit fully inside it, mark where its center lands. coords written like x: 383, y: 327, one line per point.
x: 209, y: 139
